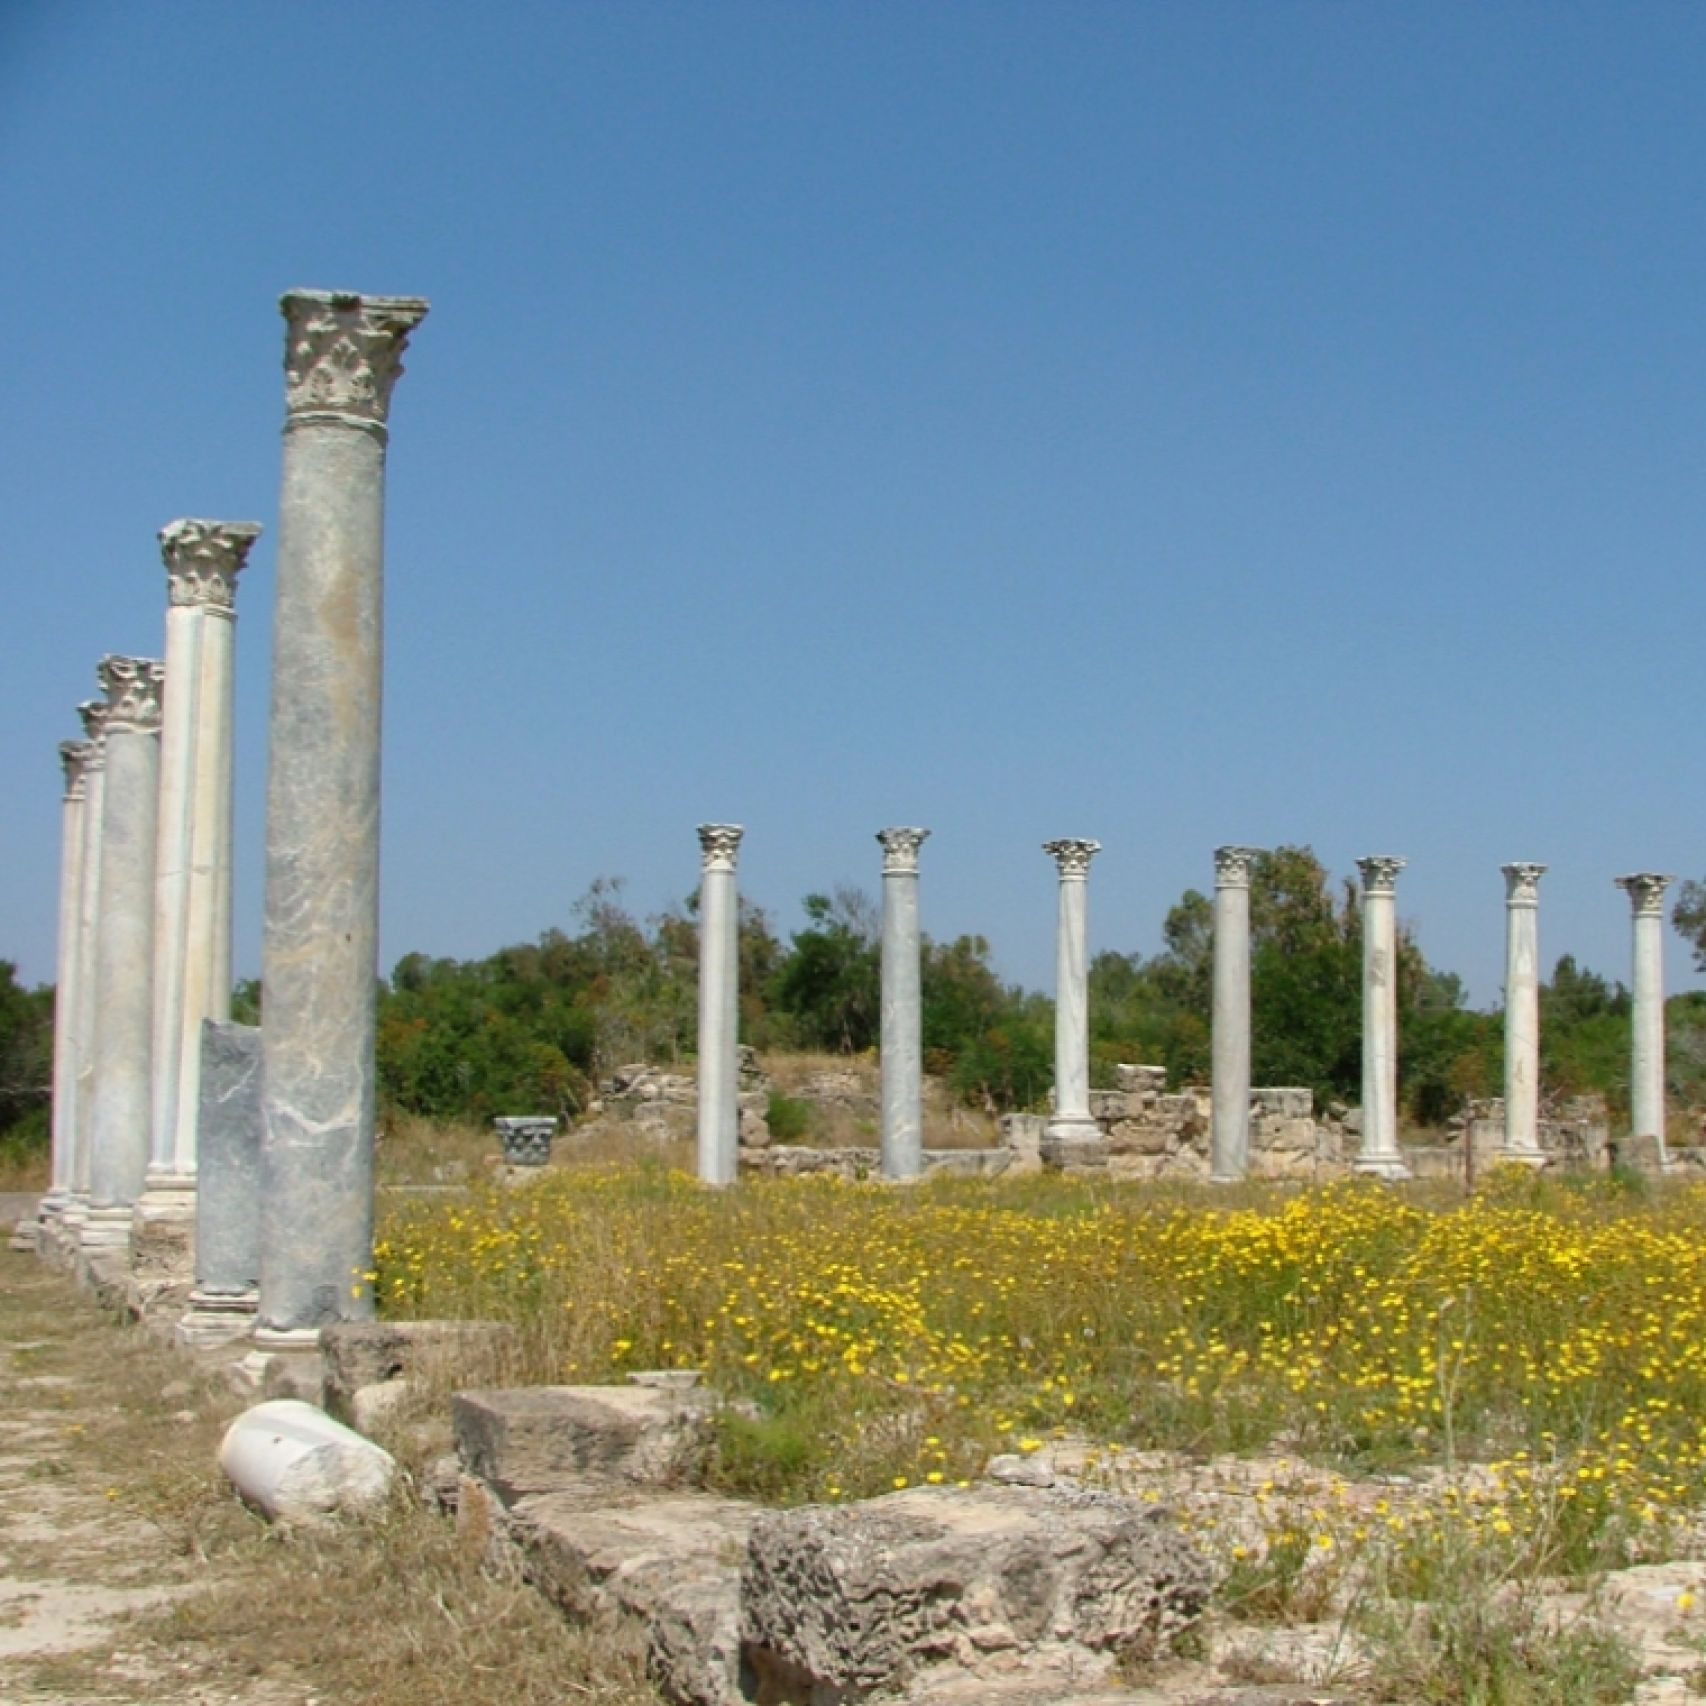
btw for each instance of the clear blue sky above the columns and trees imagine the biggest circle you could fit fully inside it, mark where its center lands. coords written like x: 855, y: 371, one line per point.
x: 1164, y: 422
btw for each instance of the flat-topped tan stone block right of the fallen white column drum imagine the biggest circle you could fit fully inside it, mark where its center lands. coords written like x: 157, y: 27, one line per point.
x: 526, y: 1441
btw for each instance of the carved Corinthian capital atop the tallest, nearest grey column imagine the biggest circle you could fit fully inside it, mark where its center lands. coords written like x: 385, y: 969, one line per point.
x: 344, y: 352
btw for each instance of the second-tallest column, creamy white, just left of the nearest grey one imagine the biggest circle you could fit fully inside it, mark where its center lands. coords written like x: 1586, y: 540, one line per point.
x: 192, y: 914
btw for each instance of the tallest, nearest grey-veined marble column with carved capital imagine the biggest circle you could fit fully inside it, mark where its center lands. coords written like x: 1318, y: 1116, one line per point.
x: 320, y: 948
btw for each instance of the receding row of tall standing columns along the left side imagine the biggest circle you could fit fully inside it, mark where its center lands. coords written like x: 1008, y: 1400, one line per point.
x: 146, y: 903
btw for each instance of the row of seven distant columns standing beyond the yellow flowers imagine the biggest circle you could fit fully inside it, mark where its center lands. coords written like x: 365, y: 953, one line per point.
x: 1231, y: 1031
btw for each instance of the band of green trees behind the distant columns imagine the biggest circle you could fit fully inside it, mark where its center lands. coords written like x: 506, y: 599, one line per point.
x: 538, y: 1024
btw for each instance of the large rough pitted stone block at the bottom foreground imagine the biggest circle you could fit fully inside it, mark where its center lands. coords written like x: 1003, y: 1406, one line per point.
x: 845, y: 1604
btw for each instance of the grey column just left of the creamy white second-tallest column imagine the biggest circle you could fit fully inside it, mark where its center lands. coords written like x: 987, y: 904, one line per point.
x: 125, y: 948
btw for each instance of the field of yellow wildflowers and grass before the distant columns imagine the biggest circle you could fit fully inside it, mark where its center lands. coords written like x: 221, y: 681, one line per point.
x: 1526, y: 1367
